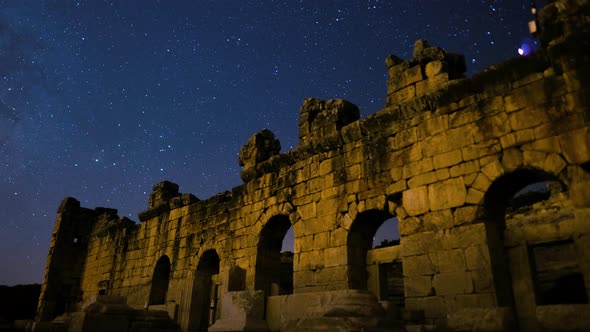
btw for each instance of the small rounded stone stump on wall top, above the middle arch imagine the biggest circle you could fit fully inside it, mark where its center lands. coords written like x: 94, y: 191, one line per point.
x: 259, y: 148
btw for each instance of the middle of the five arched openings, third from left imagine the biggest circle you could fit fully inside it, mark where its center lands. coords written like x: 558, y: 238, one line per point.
x: 274, y: 258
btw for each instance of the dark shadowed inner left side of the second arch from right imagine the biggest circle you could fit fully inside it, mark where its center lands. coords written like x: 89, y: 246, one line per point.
x: 359, y: 240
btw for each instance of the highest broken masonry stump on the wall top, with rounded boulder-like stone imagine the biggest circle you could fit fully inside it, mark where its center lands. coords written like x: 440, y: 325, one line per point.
x: 430, y: 69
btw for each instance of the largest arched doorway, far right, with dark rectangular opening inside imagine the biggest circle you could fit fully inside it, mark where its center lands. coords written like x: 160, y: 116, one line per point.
x: 539, y: 268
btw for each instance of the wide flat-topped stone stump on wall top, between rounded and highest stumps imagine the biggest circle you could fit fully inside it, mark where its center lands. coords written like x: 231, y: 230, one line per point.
x: 320, y: 119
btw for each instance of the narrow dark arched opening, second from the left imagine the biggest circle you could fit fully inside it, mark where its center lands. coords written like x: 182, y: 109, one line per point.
x: 205, y: 294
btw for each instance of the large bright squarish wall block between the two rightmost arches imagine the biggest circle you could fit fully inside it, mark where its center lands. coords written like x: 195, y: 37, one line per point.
x: 447, y: 194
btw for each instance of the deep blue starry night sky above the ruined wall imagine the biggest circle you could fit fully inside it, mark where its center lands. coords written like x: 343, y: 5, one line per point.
x: 99, y: 100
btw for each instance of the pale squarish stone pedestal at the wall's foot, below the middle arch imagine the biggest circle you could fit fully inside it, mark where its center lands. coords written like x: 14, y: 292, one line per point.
x: 241, y: 311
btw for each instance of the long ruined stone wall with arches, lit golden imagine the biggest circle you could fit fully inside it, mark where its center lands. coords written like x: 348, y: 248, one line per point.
x: 445, y: 156
